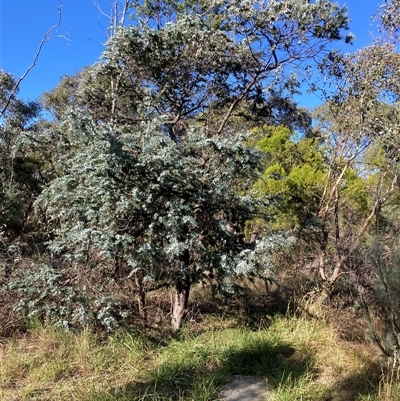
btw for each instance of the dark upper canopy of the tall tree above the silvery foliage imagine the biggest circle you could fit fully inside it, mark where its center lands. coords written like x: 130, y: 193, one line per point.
x: 202, y: 60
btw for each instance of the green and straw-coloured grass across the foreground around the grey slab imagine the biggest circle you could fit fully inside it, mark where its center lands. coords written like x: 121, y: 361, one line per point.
x: 302, y: 359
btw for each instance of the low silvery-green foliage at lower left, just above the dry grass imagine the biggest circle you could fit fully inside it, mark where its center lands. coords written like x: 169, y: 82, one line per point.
x: 60, y: 296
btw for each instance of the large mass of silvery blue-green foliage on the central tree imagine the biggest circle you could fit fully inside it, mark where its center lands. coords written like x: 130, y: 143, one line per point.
x: 141, y: 202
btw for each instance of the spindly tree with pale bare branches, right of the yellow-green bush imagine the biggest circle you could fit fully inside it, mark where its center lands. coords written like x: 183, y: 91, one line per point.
x: 360, y: 125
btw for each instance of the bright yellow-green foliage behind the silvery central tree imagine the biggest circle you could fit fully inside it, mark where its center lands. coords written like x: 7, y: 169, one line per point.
x: 294, y: 175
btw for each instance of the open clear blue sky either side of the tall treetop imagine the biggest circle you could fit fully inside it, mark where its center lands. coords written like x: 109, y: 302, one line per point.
x: 23, y: 23
